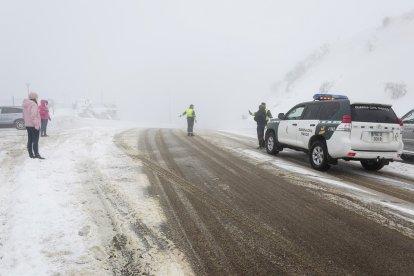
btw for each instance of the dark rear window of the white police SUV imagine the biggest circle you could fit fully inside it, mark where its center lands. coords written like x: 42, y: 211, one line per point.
x: 373, y: 113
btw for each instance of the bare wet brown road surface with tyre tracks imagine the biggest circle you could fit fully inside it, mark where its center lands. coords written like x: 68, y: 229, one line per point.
x: 232, y: 215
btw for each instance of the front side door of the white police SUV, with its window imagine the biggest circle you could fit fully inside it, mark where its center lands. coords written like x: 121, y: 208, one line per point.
x: 288, y: 127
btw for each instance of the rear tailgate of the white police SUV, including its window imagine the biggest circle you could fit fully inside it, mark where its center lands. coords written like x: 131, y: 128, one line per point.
x: 374, y: 128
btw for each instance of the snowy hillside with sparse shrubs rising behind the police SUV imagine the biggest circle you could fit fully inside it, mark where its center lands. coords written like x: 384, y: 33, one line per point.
x: 374, y: 66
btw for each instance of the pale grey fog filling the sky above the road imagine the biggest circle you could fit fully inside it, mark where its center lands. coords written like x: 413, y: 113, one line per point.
x: 154, y: 58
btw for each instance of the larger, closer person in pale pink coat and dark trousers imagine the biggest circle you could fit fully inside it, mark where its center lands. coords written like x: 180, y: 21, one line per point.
x: 31, y: 118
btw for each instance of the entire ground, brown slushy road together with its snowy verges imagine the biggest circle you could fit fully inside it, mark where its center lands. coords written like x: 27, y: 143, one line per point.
x: 112, y: 199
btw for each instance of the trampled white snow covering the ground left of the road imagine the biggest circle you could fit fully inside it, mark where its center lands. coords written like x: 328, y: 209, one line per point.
x: 52, y: 221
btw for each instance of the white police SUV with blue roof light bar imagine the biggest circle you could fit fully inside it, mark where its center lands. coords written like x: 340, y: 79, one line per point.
x: 332, y: 128
